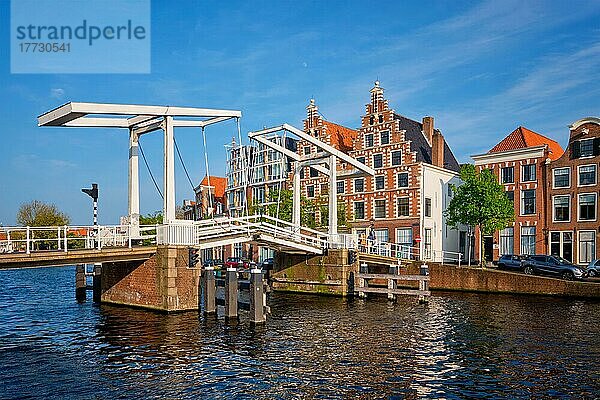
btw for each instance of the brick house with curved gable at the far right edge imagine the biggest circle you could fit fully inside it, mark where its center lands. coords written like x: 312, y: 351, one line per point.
x: 572, y: 195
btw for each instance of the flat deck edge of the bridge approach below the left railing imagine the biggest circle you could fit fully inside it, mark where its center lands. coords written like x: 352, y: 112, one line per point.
x: 84, y: 256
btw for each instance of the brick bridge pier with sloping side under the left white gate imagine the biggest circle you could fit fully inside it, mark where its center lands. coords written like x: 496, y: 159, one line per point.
x: 164, y: 282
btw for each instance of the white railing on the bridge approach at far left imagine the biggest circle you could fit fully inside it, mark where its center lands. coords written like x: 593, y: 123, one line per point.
x: 64, y: 238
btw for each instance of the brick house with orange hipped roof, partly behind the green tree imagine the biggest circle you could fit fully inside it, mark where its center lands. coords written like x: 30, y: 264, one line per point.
x: 519, y: 161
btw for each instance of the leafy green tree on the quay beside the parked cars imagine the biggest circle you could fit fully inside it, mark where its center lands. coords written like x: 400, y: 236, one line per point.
x: 481, y: 202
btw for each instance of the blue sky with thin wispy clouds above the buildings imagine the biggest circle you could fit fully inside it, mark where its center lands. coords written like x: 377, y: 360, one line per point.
x: 480, y: 69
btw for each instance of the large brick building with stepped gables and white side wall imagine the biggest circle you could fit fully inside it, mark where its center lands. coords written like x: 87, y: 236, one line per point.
x: 414, y: 166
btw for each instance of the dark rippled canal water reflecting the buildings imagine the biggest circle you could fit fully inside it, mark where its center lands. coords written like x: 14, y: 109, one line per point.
x: 459, y: 346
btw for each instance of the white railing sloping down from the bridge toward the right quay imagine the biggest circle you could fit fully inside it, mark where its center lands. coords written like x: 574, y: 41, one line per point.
x: 406, y: 252
